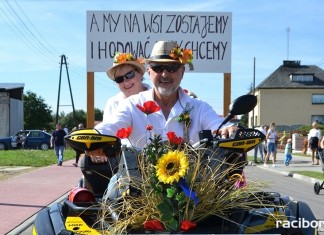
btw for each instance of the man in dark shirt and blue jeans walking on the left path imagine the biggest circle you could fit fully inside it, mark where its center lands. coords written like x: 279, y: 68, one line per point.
x: 57, y: 142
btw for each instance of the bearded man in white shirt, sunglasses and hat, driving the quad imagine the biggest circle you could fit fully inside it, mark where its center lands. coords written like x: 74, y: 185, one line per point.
x: 166, y: 67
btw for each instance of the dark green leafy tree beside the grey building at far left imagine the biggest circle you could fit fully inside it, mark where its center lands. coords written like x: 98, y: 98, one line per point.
x: 37, y: 114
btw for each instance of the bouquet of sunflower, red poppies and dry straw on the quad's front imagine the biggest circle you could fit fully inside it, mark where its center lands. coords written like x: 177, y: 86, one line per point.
x: 179, y: 186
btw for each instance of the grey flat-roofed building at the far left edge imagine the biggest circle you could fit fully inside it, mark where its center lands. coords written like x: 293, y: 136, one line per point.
x: 11, y: 108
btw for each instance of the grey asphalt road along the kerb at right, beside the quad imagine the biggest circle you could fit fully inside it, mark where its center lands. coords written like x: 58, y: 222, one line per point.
x: 297, y: 189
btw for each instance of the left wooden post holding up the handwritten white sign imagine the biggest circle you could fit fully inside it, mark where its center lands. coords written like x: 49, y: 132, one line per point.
x: 90, y: 100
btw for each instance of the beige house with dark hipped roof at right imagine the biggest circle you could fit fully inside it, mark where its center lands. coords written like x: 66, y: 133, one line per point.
x: 292, y: 95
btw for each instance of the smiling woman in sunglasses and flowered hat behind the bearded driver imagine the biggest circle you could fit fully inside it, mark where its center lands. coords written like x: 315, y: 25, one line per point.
x: 128, y: 73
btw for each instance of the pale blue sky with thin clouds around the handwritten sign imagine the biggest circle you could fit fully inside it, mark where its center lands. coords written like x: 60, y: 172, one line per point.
x: 36, y: 33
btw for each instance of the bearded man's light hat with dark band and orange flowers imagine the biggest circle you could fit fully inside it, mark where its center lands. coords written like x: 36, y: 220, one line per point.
x: 169, y: 51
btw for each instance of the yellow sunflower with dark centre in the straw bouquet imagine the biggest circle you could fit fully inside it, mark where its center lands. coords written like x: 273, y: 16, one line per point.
x: 172, y: 166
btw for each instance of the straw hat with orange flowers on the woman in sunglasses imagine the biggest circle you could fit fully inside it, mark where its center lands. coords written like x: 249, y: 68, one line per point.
x: 122, y: 59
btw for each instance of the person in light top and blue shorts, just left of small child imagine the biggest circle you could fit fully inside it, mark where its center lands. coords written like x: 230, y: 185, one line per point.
x: 271, y: 145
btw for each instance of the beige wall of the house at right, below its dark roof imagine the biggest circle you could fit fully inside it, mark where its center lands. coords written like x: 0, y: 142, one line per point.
x: 286, y: 106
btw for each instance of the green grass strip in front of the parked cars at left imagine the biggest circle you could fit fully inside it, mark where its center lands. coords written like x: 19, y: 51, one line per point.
x: 33, y: 158
